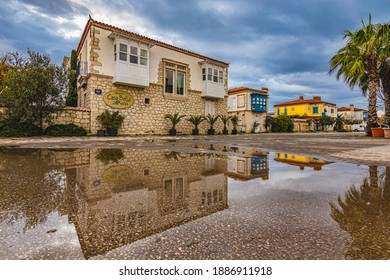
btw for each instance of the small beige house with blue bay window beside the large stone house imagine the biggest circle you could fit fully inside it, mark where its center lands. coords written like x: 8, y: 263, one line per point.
x: 250, y: 105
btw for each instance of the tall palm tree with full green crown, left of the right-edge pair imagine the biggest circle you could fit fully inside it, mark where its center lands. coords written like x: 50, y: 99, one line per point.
x: 358, y: 63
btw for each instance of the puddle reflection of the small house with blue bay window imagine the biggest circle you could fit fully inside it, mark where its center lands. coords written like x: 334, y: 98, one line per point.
x: 247, y: 168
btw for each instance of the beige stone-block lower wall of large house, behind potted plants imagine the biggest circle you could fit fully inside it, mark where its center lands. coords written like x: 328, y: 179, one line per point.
x: 143, y: 118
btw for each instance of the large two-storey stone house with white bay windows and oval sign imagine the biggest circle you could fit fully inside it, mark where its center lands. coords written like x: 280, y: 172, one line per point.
x: 145, y: 79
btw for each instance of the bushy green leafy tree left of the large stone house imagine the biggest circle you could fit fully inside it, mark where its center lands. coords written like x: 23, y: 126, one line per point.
x: 34, y: 89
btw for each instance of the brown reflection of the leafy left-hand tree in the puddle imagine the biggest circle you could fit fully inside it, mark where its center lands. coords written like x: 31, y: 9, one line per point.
x: 18, y: 199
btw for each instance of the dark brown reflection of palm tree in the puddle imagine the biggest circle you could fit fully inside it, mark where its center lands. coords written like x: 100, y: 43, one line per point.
x: 365, y: 215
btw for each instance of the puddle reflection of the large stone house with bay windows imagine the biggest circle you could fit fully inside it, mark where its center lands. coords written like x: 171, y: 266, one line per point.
x: 144, y: 193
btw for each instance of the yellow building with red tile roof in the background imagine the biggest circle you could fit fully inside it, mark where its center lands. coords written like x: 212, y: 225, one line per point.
x: 313, y: 108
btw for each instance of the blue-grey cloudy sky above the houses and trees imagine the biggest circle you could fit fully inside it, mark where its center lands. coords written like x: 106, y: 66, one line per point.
x: 279, y: 44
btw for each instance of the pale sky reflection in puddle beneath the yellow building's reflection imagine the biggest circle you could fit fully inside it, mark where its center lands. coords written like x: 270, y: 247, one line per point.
x: 334, y: 178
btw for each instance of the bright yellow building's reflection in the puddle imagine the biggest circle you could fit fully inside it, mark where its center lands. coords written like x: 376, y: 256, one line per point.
x: 300, y: 161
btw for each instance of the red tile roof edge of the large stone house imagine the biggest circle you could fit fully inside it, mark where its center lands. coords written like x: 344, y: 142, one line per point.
x: 92, y: 22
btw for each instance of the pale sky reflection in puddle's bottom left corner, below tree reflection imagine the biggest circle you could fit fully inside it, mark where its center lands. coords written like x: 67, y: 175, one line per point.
x: 36, y: 243
